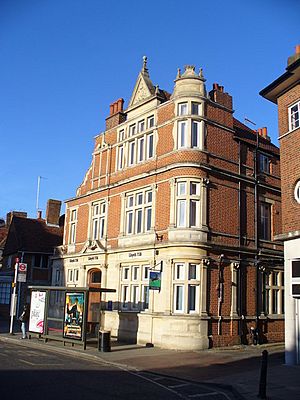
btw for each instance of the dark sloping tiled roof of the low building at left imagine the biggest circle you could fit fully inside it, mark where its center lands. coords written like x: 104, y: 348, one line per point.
x: 33, y: 236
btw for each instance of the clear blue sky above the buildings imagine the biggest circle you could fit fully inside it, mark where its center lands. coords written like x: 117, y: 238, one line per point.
x: 64, y: 61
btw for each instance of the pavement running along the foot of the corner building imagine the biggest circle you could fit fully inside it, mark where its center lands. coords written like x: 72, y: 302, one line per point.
x: 236, y: 369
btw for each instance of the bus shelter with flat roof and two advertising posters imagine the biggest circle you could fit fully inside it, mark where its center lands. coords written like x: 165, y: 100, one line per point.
x: 61, y: 313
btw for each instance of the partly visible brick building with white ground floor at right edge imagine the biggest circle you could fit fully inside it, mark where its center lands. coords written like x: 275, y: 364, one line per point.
x: 285, y: 92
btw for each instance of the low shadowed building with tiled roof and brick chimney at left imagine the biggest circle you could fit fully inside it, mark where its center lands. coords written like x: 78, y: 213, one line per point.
x: 32, y: 241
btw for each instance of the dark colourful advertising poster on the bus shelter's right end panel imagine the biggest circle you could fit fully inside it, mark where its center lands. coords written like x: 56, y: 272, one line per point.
x: 74, y: 305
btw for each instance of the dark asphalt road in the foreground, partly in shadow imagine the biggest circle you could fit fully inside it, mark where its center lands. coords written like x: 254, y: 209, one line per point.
x: 29, y: 373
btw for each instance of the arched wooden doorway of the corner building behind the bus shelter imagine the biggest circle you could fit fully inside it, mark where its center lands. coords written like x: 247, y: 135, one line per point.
x: 94, y: 282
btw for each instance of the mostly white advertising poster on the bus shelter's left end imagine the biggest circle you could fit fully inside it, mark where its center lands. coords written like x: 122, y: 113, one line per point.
x: 37, y: 311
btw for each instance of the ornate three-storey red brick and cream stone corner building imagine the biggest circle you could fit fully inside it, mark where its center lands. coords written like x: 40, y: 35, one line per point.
x: 179, y: 187
